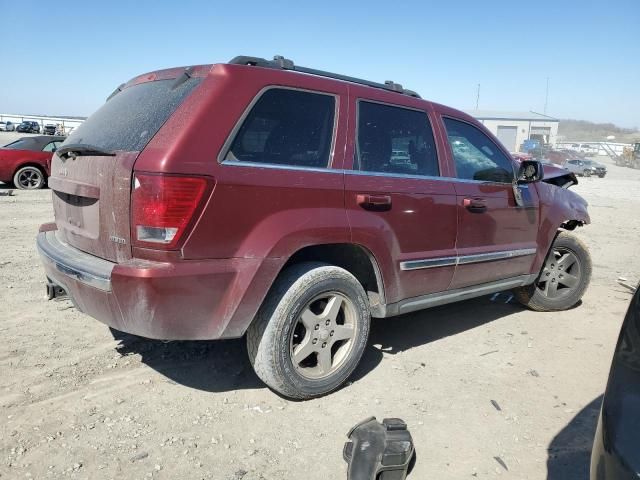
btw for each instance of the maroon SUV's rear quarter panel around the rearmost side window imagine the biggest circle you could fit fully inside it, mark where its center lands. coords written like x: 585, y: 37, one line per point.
x: 254, y: 211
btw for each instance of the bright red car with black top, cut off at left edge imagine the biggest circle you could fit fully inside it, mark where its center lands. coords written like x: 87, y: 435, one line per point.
x: 26, y: 162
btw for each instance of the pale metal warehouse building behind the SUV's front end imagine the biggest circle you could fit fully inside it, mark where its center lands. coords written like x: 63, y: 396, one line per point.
x: 513, y: 128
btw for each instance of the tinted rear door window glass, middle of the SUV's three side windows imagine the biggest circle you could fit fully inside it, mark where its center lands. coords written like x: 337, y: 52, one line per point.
x: 395, y: 140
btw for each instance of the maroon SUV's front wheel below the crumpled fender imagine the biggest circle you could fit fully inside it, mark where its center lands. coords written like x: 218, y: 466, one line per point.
x: 564, y: 277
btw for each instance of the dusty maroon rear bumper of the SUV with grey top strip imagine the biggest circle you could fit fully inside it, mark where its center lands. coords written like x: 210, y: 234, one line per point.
x: 186, y: 300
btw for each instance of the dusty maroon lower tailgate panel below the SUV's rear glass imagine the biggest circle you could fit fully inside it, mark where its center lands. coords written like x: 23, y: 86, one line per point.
x: 91, y: 197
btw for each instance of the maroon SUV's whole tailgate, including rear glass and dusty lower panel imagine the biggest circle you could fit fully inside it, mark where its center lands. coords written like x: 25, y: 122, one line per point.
x: 92, y: 187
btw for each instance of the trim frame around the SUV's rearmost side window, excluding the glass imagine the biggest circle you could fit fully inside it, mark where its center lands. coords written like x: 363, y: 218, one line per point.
x: 226, y: 147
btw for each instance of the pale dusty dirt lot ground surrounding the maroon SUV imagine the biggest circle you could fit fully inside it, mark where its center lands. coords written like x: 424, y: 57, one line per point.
x: 77, y: 403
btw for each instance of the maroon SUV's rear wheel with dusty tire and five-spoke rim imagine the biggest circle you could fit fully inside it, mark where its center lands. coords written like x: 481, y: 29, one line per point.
x: 311, y: 331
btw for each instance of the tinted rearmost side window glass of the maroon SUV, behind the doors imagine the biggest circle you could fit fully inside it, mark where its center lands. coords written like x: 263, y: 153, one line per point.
x: 286, y: 127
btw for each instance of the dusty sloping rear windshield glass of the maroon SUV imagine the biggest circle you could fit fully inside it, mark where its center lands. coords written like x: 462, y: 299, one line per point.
x: 132, y: 117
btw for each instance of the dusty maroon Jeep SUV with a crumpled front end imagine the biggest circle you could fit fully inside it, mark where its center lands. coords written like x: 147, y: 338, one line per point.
x: 290, y: 205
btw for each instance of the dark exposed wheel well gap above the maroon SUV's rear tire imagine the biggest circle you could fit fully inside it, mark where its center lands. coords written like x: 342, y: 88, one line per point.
x: 354, y: 258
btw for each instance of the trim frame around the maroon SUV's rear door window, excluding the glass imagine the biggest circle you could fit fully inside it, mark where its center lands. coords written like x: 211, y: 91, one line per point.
x: 355, y: 167
